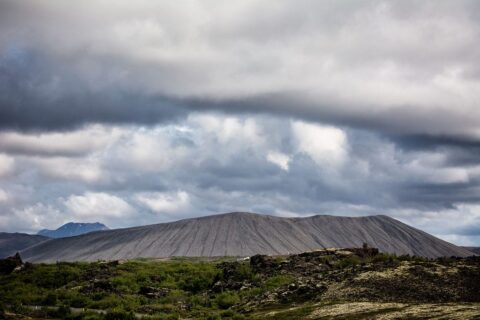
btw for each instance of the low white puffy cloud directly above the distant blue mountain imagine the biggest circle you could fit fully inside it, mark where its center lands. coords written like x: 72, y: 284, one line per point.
x: 99, y: 204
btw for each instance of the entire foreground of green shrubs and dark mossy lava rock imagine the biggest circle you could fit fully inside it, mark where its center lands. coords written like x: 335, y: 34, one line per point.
x: 326, y: 284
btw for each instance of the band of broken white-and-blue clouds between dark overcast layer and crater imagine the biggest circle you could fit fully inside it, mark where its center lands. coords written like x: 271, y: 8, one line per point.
x: 217, y: 163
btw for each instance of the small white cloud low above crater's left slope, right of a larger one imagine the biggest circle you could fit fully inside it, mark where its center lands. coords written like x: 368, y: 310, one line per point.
x: 165, y: 202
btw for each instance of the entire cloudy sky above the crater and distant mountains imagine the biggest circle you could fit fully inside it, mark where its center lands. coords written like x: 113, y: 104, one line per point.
x: 138, y: 112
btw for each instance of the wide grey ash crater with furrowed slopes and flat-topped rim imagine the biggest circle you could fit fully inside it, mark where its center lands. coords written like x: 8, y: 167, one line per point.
x: 243, y: 234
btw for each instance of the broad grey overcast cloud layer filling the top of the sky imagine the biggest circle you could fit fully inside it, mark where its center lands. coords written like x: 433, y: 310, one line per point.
x: 321, y: 61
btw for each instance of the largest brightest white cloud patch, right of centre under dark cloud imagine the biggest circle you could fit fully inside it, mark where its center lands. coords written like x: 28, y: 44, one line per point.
x: 326, y: 145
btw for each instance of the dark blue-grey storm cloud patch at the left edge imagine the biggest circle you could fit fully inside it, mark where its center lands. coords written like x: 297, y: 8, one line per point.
x: 33, y: 96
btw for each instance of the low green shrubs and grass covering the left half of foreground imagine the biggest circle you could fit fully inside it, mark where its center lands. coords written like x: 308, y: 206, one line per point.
x: 118, y: 289
